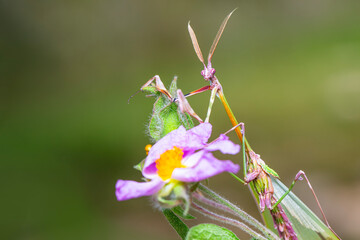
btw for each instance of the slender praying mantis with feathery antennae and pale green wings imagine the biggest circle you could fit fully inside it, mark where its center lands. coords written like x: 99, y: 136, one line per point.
x: 287, y: 211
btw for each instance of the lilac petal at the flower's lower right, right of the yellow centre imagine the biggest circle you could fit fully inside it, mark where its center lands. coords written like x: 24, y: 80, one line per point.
x: 206, y: 167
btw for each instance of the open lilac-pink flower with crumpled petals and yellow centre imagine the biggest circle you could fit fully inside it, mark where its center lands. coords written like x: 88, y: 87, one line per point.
x: 182, y: 156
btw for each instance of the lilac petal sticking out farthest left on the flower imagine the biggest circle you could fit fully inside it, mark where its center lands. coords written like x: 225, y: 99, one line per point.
x: 125, y: 190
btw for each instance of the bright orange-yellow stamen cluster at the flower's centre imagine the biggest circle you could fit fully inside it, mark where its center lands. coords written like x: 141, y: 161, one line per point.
x: 168, y: 161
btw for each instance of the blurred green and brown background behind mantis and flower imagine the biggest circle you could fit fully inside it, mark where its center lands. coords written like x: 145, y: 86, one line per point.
x: 290, y: 70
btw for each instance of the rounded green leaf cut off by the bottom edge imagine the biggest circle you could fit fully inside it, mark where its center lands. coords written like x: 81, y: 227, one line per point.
x: 207, y: 231
